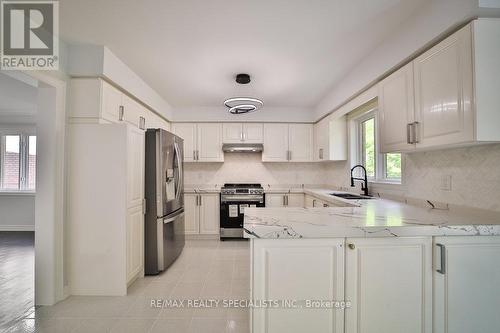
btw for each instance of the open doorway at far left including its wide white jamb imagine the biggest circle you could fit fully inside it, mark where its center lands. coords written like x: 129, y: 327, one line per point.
x: 32, y: 127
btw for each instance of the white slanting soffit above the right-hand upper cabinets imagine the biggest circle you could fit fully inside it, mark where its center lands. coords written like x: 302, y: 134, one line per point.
x: 430, y: 23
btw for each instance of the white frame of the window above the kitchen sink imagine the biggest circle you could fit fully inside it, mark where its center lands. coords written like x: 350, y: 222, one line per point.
x: 380, y: 158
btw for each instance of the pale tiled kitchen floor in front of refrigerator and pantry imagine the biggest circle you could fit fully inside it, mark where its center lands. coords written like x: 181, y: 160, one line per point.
x: 206, y: 269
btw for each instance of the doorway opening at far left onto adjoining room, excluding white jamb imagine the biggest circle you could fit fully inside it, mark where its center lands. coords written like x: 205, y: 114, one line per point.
x: 18, y: 111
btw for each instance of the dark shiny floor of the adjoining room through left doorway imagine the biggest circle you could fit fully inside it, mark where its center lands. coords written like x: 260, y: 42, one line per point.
x: 16, y: 276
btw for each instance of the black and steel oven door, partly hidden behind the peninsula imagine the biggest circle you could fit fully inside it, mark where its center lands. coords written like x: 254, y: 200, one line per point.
x: 232, y: 210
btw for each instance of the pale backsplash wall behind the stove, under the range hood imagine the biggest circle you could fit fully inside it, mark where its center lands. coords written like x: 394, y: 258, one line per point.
x: 240, y: 168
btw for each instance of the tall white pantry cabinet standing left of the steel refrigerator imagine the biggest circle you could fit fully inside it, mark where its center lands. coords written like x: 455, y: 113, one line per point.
x: 105, y: 207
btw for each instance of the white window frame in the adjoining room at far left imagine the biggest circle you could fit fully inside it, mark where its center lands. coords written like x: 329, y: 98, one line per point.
x: 24, y: 133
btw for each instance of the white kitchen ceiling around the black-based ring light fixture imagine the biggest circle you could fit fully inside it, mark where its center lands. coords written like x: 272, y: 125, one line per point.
x: 189, y: 51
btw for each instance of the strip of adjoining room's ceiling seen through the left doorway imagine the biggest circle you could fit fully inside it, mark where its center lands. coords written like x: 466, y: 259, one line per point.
x: 17, y: 97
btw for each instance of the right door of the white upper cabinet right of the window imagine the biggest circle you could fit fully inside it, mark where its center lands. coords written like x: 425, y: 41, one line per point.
x: 443, y: 92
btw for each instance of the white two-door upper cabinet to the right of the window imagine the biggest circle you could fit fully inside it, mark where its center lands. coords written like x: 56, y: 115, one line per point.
x: 454, y: 99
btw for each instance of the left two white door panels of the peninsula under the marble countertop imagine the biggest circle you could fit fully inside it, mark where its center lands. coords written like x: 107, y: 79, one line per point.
x: 388, y: 282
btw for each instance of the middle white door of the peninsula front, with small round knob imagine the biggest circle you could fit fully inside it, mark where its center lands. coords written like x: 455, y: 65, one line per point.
x: 389, y: 284
